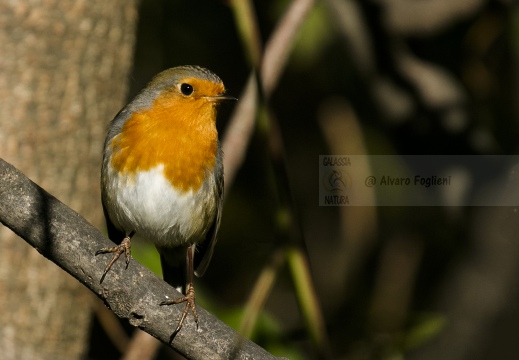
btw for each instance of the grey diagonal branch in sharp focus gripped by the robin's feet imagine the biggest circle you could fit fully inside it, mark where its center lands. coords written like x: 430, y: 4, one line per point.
x: 65, y: 238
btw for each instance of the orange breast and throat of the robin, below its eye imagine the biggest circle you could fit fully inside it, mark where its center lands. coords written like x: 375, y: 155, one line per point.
x: 175, y: 132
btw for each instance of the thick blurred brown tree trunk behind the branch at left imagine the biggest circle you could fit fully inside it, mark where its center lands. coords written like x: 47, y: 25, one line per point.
x: 63, y: 75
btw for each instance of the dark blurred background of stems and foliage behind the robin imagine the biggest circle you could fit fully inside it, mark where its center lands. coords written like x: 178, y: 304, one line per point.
x: 396, y: 77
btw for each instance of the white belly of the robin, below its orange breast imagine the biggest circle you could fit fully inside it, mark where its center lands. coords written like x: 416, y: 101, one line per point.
x: 147, y: 203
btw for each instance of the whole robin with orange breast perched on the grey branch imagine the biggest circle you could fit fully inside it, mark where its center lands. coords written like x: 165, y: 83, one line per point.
x: 162, y: 176
